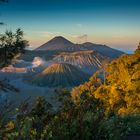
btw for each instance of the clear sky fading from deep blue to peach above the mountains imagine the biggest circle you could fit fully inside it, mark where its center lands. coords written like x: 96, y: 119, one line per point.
x: 115, y: 23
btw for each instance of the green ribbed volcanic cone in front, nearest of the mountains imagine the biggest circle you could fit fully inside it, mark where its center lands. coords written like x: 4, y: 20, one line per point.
x: 60, y: 75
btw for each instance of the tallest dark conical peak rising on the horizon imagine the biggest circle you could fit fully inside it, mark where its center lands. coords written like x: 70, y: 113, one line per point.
x: 57, y: 43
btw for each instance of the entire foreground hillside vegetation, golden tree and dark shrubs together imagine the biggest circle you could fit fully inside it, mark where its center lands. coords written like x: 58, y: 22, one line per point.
x: 96, y: 110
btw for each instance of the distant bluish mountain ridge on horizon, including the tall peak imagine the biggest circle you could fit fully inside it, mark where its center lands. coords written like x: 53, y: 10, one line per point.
x: 59, y: 43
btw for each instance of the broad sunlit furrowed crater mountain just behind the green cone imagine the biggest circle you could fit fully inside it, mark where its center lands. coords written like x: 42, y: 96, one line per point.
x: 88, y: 61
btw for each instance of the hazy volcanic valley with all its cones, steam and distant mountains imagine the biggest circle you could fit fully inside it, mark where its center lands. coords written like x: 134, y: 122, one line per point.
x: 59, y: 63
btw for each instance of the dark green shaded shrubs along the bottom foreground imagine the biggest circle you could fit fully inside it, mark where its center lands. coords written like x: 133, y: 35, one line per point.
x: 83, y: 121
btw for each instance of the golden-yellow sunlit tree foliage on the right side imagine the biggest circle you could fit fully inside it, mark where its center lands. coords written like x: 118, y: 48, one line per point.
x: 121, y: 92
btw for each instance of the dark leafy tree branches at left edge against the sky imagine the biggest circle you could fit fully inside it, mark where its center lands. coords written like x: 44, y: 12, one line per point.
x: 11, y: 45
